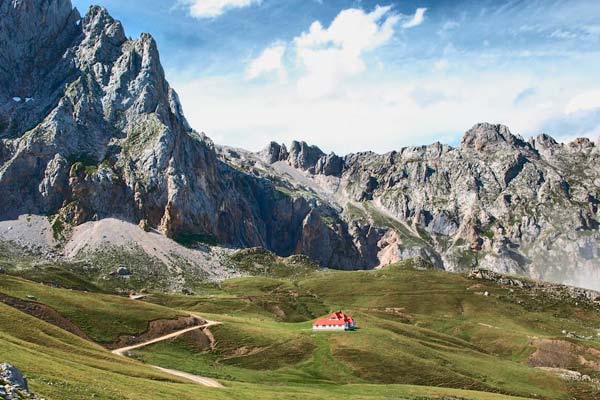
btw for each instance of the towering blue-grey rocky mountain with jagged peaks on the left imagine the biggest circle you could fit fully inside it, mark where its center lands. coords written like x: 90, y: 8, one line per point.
x: 89, y: 129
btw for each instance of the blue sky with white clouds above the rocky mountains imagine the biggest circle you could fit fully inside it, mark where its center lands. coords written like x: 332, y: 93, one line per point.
x: 375, y: 75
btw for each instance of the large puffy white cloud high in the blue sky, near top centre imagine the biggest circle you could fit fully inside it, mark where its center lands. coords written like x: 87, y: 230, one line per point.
x: 331, y: 55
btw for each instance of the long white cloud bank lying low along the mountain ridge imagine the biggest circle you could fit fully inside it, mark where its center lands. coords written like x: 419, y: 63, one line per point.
x: 379, y: 112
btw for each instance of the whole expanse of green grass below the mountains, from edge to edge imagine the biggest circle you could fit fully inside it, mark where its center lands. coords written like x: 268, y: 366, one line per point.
x: 423, y: 335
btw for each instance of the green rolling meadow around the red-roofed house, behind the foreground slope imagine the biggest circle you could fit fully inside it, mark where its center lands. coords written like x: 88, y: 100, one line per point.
x: 417, y: 327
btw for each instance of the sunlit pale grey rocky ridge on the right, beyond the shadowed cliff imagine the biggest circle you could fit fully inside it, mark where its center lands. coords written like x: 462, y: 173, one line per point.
x: 498, y: 201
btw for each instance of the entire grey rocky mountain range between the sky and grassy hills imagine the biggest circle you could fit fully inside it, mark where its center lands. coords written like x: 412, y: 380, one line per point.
x: 90, y: 129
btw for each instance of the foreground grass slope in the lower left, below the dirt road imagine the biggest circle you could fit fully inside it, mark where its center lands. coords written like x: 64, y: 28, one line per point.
x: 61, y: 366
